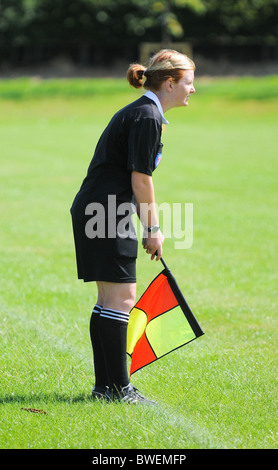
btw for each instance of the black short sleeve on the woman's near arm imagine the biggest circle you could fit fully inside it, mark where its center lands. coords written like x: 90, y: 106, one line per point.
x: 143, y: 142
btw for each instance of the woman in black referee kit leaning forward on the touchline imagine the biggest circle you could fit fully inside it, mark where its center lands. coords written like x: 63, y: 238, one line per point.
x: 119, y: 179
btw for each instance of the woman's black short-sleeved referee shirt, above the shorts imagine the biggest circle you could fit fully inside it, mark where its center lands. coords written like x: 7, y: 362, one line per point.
x: 131, y: 141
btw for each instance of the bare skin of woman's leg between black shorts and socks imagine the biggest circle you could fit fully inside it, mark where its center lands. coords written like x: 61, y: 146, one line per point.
x: 115, y: 295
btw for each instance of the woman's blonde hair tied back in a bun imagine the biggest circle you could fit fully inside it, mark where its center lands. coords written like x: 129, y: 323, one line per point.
x: 164, y: 64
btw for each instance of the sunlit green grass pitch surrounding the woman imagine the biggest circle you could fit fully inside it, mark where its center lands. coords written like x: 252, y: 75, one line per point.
x: 220, y: 154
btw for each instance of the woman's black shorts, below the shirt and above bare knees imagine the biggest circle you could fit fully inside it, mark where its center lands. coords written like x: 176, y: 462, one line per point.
x: 103, y: 259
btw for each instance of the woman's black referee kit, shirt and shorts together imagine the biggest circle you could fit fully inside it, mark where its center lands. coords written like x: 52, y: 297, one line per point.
x: 131, y: 141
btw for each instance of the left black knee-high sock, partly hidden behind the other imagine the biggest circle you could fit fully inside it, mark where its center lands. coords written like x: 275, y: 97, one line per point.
x: 101, y: 377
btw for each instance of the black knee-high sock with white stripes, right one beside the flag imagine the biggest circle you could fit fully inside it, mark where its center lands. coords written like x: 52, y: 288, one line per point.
x: 113, y: 332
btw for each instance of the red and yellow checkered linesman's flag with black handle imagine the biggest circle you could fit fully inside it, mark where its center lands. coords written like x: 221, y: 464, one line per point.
x: 160, y: 322
